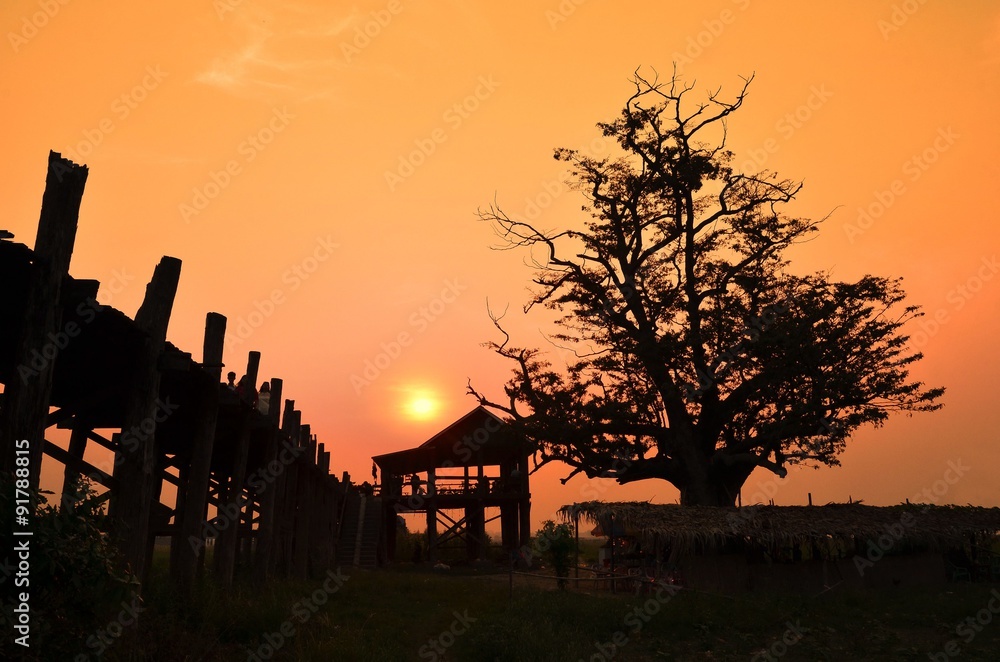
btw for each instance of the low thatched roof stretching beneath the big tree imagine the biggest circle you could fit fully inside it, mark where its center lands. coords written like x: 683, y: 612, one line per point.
x: 688, y: 526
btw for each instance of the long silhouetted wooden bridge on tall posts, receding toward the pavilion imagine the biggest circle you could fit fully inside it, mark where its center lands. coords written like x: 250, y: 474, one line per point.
x: 66, y: 361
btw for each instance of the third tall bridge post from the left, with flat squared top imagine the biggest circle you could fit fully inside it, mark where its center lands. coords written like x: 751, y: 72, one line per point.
x: 189, y: 542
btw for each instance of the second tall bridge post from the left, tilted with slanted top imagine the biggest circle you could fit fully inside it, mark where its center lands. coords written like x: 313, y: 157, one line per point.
x: 130, y: 507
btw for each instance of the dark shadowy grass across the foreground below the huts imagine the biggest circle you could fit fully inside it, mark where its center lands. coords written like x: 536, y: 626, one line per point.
x: 419, y: 614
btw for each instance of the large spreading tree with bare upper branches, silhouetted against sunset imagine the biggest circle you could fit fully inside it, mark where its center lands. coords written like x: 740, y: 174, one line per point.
x: 698, y: 355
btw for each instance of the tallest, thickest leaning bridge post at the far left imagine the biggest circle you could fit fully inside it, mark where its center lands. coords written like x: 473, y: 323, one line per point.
x: 26, y: 396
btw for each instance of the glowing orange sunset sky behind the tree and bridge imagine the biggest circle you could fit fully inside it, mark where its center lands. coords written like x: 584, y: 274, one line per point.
x: 332, y: 160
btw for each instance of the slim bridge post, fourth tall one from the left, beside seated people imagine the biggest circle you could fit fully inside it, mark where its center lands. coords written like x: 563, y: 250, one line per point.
x: 228, y: 543
